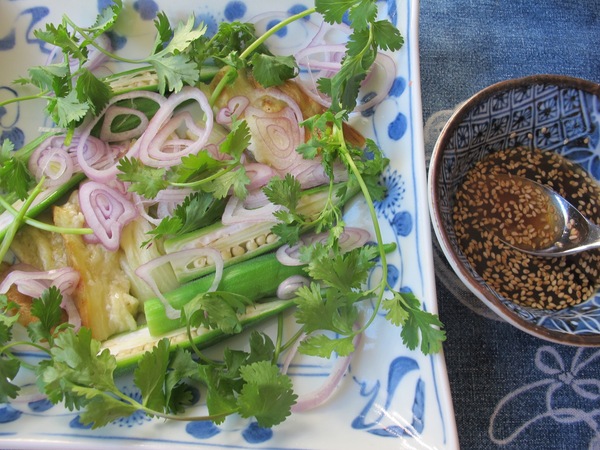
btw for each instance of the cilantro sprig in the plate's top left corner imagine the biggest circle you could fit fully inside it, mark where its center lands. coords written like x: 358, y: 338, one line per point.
x: 72, y: 91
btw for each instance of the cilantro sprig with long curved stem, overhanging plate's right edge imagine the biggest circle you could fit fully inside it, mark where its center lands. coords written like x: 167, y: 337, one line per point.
x: 329, y: 310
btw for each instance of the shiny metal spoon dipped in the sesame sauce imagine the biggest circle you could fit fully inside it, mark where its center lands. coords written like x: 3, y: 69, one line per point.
x: 577, y: 233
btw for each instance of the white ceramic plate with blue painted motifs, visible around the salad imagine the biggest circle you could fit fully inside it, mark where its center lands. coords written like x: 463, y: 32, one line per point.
x: 392, y: 398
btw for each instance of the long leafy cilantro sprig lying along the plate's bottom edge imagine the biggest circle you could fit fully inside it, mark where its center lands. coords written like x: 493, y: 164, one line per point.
x: 82, y: 376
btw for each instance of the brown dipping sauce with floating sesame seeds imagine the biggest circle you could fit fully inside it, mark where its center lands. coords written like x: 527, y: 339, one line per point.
x: 492, y: 207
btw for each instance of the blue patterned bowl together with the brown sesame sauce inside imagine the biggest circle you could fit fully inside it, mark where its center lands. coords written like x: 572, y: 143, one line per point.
x: 541, y: 127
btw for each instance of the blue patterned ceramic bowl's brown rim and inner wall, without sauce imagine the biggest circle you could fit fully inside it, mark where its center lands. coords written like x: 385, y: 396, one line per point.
x: 548, y: 112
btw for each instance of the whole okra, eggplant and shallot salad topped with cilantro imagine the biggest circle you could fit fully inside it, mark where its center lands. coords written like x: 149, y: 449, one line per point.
x: 195, y: 192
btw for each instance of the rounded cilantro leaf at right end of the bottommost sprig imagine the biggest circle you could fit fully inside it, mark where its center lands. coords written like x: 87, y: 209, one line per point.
x: 267, y: 394
